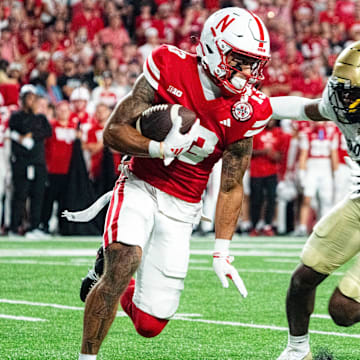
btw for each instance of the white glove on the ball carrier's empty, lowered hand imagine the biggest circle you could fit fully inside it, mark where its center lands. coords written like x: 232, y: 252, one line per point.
x: 223, y: 268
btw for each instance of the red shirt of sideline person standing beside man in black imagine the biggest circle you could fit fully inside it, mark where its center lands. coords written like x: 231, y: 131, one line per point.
x: 58, y: 148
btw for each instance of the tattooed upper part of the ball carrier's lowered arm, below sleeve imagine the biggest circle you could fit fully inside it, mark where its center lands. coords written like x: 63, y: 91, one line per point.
x: 236, y: 160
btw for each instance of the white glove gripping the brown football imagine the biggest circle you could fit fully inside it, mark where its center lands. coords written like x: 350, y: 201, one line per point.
x: 175, y: 143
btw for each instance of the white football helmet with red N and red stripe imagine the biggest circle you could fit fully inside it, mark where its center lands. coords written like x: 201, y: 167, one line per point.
x: 240, y: 33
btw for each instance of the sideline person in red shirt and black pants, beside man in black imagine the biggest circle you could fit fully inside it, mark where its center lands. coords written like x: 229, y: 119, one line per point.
x: 58, y: 151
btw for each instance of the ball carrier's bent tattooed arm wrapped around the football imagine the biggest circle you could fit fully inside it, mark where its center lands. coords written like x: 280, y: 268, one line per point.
x: 119, y: 134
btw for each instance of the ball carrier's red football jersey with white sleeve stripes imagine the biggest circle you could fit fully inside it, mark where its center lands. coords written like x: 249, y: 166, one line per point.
x: 174, y: 74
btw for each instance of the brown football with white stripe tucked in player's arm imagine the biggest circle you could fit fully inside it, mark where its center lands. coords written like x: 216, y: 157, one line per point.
x: 156, y: 122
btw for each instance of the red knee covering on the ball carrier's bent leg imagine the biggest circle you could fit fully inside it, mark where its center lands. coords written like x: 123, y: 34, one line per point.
x: 146, y: 325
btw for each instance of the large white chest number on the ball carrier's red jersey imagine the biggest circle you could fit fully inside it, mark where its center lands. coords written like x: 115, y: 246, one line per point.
x: 201, y: 148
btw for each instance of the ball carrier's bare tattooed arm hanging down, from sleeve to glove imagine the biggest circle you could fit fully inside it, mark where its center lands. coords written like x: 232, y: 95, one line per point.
x: 236, y: 160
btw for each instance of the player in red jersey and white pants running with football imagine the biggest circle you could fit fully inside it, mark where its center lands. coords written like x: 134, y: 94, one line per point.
x: 157, y: 199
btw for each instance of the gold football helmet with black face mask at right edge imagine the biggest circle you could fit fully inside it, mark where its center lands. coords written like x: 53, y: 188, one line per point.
x: 344, y: 85
